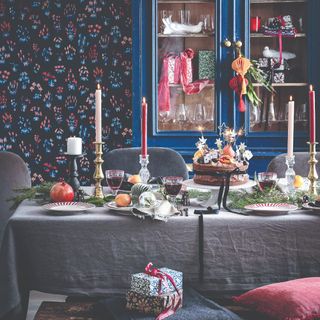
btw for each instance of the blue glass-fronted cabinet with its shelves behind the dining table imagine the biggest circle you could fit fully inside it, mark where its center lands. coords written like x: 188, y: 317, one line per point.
x: 165, y: 29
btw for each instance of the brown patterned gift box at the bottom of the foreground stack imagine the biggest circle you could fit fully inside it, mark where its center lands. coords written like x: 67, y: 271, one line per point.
x: 153, y: 305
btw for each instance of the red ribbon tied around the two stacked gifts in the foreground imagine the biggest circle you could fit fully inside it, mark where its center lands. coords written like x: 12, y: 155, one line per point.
x: 154, y: 272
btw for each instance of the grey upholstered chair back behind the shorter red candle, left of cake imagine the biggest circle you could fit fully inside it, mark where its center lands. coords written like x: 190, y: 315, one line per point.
x: 163, y: 161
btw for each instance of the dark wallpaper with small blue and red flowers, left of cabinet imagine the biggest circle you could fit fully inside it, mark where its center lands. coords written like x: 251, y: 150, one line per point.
x: 52, y: 54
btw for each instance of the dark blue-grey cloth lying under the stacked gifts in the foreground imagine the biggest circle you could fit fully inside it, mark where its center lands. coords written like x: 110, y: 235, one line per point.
x: 195, y: 307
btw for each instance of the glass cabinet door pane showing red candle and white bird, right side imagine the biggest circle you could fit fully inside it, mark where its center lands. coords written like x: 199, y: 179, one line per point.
x: 269, y: 18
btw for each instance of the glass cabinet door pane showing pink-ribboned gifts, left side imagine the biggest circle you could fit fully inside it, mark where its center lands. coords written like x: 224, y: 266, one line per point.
x: 185, y: 62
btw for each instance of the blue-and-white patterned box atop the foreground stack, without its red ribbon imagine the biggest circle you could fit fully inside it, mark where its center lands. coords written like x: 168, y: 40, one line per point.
x: 149, y: 285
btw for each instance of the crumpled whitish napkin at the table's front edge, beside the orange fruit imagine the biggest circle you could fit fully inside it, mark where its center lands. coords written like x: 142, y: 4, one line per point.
x: 162, y: 212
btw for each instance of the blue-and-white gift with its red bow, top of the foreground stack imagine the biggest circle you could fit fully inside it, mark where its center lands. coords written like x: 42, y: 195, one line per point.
x: 155, y: 282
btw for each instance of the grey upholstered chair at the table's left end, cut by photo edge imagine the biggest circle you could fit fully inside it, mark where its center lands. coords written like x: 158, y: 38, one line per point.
x: 14, y: 174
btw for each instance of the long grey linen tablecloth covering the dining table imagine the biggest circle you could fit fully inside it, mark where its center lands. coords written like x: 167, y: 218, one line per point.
x: 95, y: 253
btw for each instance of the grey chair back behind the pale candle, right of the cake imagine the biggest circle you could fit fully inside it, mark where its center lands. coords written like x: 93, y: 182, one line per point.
x: 301, y: 167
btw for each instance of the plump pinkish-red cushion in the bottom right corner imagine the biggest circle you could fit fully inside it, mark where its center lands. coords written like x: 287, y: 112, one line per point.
x: 291, y: 300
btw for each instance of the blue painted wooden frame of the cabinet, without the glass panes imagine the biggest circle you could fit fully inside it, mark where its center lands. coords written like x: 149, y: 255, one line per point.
x: 232, y: 22
